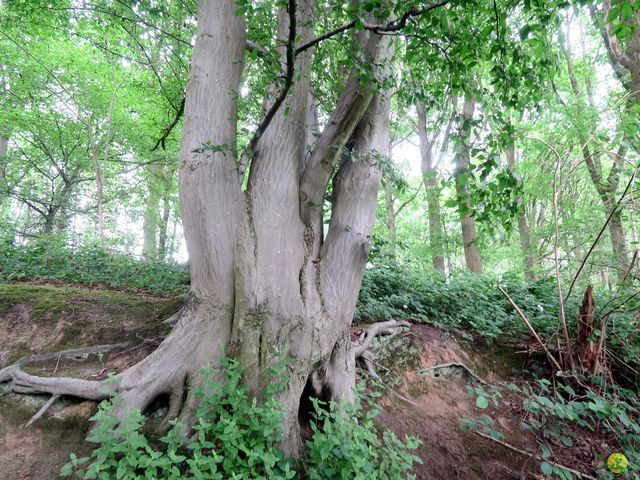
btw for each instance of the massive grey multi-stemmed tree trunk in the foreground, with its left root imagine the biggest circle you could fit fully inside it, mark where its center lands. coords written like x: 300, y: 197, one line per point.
x: 264, y: 281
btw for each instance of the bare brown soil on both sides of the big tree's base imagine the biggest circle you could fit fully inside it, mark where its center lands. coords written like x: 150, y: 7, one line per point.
x: 430, y: 405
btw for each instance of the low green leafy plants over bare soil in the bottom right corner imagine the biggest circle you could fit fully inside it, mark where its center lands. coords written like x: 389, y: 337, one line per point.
x: 557, y: 413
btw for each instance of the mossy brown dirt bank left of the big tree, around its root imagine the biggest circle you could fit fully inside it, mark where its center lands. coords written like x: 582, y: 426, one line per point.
x: 43, y: 319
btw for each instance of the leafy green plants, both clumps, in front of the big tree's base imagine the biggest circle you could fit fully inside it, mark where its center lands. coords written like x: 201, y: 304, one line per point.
x: 237, y: 437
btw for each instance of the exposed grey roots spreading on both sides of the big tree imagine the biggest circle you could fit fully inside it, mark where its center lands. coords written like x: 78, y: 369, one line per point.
x: 170, y: 370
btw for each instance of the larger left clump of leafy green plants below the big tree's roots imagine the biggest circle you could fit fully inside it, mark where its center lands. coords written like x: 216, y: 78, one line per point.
x: 235, y: 438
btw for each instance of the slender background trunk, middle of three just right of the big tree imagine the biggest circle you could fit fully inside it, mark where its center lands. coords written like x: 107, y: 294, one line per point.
x: 469, y: 233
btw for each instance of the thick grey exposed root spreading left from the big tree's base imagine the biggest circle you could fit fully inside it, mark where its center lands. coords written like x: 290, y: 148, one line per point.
x: 195, y: 341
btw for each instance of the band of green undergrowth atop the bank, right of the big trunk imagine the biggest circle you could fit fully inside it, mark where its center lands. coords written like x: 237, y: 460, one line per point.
x: 473, y: 303
